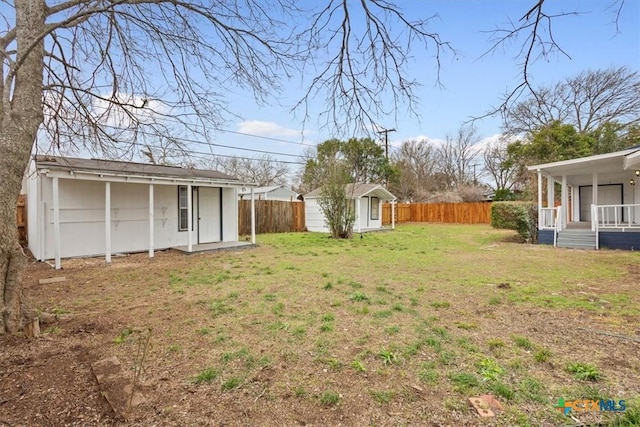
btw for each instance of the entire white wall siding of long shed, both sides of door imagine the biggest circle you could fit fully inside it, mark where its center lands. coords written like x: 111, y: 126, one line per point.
x: 82, y: 226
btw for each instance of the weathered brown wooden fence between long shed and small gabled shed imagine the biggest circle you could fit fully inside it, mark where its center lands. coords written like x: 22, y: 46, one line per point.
x: 272, y: 216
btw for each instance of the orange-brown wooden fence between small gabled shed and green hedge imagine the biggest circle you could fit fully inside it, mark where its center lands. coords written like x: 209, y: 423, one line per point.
x: 448, y: 213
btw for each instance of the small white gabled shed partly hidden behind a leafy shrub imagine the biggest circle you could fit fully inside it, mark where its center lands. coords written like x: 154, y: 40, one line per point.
x: 367, y: 199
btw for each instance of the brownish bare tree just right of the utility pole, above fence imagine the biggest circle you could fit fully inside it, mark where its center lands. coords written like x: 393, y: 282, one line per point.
x: 416, y: 164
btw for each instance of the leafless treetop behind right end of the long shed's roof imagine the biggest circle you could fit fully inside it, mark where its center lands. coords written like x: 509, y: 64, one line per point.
x: 263, y: 171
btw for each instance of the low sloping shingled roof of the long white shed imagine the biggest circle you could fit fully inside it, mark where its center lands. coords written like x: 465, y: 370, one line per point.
x: 119, y: 167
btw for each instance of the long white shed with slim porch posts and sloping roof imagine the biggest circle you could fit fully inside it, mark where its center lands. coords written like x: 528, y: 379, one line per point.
x: 88, y: 207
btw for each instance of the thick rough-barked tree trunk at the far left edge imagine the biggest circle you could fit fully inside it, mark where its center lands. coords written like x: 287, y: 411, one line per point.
x: 21, y: 115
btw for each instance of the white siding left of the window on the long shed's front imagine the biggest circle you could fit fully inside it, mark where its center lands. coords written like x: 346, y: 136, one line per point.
x: 82, y: 218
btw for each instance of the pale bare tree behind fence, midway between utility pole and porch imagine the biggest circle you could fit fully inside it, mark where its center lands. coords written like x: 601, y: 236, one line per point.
x: 457, y: 157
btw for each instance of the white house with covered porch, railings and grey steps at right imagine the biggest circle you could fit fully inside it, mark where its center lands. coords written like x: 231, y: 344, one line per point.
x: 599, y: 201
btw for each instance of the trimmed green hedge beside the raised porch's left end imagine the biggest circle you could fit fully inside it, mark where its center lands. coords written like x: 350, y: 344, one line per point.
x: 519, y: 216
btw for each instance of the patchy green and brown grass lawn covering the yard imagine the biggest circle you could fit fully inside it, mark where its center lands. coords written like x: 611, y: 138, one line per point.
x: 395, y: 328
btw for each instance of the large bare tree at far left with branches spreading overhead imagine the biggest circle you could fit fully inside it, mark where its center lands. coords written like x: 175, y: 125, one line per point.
x: 99, y: 72
